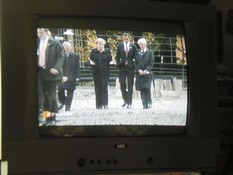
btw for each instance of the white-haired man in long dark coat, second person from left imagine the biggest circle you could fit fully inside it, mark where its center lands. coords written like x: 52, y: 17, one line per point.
x: 71, y: 69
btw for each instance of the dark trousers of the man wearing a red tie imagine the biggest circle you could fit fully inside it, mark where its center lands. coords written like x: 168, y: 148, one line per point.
x: 126, y: 79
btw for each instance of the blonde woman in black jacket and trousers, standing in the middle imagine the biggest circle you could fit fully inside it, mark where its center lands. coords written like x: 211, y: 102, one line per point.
x: 99, y: 61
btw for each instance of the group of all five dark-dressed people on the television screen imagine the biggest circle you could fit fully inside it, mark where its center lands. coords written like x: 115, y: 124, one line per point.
x: 59, y: 70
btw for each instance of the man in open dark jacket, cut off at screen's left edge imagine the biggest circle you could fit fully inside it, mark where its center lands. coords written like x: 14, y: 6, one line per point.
x: 50, y: 61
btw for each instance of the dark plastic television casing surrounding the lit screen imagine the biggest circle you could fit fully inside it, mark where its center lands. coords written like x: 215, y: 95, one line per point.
x: 24, y: 149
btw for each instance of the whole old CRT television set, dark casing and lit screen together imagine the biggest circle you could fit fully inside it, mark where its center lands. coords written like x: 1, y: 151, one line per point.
x: 169, y: 123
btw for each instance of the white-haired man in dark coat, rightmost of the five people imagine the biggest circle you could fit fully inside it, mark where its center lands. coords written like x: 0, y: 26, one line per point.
x: 143, y: 68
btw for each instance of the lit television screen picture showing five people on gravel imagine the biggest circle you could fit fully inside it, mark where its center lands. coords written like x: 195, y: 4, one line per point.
x: 95, y: 104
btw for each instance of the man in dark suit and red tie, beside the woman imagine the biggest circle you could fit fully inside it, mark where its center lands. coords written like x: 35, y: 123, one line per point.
x: 125, y: 55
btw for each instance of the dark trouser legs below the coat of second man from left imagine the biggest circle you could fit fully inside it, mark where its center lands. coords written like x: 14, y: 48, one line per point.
x: 65, y: 97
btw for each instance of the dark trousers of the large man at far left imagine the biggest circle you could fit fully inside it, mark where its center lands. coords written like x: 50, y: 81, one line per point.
x: 47, y: 95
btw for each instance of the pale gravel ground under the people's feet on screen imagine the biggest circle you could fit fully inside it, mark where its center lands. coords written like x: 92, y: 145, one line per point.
x: 165, y: 111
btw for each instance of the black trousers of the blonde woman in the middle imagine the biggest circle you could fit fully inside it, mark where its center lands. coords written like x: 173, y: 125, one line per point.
x: 101, y: 90
